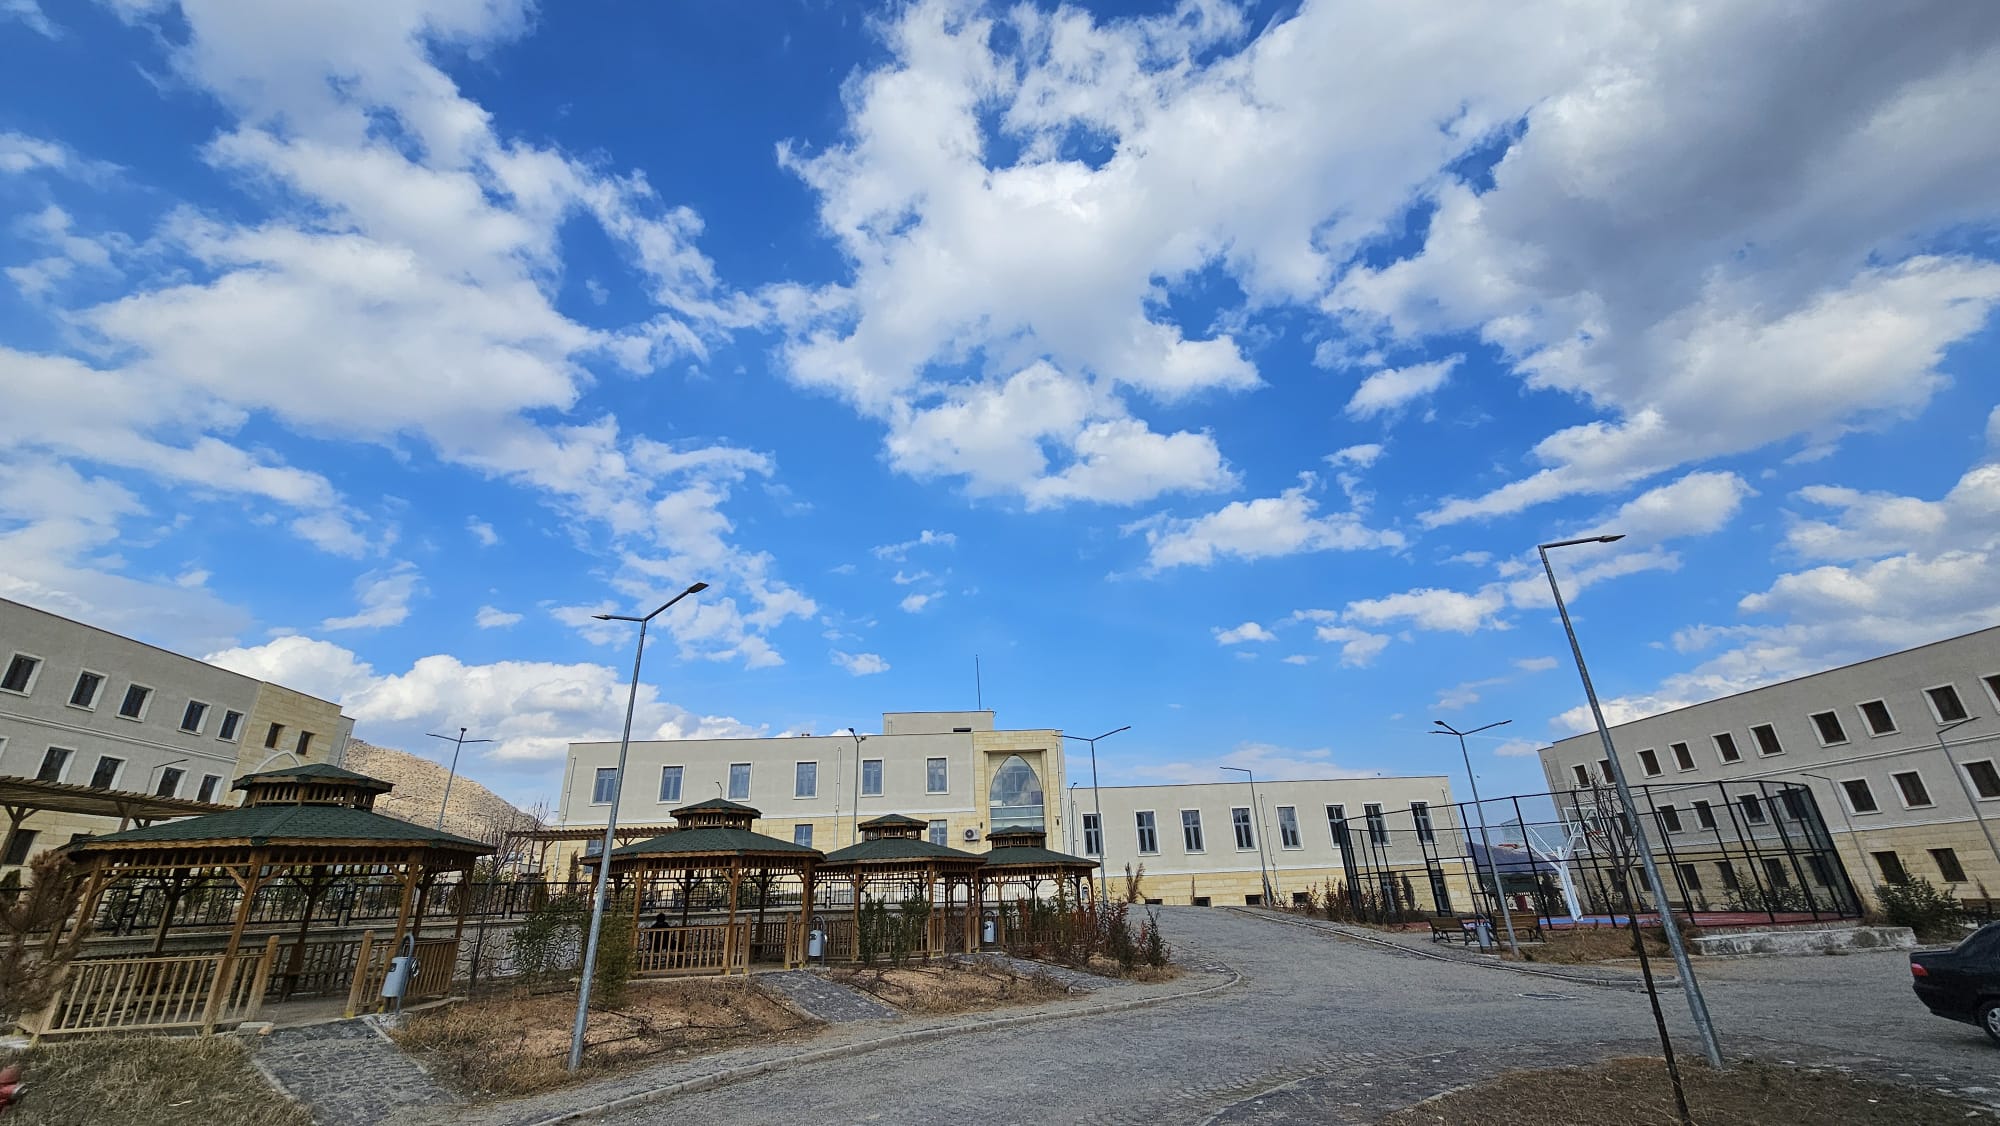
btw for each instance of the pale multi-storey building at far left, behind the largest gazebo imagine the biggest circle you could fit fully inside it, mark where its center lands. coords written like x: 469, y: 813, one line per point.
x: 87, y: 707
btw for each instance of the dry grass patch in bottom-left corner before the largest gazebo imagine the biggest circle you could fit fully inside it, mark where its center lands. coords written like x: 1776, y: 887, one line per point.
x: 159, y: 1081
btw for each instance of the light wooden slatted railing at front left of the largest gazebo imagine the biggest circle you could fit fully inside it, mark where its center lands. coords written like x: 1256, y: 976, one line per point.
x: 157, y: 995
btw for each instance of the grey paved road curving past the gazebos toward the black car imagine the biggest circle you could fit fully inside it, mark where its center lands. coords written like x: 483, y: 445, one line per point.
x: 1333, y: 1031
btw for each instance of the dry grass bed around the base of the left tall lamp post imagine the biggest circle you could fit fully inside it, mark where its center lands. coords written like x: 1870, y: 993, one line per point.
x: 519, y: 1045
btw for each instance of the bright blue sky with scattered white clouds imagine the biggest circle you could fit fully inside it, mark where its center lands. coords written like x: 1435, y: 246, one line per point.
x: 1195, y: 367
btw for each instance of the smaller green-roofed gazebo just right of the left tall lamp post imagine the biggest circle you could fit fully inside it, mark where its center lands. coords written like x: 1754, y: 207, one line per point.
x: 713, y: 897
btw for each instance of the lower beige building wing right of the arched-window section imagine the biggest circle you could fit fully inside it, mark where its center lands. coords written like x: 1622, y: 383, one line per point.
x: 1195, y: 851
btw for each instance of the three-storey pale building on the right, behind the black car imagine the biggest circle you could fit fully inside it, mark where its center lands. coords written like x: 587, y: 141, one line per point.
x: 1901, y: 755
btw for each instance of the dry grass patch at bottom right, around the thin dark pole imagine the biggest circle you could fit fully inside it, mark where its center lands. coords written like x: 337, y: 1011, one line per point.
x: 1635, y: 1093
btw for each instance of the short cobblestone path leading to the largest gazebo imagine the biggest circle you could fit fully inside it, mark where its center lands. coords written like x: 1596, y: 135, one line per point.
x: 347, y: 1073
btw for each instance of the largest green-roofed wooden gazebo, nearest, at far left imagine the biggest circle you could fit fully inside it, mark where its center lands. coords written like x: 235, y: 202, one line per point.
x: 301, y: 833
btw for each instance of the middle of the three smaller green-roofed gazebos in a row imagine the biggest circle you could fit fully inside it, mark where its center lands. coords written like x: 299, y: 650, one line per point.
x: 893, y: 863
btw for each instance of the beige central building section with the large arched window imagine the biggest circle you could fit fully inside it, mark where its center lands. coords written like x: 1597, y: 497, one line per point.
x: 939, y: 767
